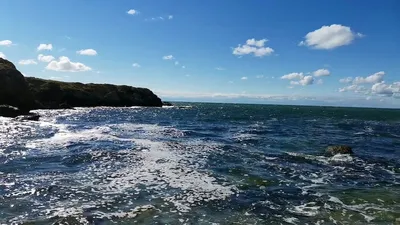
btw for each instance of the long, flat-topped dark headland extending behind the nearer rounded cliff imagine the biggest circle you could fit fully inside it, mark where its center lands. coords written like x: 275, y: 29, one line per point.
x: 55, y: 95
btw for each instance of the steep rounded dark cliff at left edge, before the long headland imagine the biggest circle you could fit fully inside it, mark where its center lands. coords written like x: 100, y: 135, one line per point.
x: 14, y: 91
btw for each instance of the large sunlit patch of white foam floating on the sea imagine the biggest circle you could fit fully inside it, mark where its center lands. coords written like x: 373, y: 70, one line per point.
x: 169, y: 171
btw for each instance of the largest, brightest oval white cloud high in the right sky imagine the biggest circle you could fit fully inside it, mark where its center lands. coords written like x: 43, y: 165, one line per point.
x: 330, y: 37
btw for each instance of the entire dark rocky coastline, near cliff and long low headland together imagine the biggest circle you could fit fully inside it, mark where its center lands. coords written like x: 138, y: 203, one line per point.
x: 34, y: 93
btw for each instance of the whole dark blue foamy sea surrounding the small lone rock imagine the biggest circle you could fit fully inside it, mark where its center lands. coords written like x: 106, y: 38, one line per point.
x: 201, y: 164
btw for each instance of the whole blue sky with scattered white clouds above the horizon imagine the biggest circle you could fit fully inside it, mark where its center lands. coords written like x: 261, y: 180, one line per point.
x: 339, y: 52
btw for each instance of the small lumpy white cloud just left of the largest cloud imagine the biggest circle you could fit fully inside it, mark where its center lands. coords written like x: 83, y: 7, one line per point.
x: 254, y: 47
